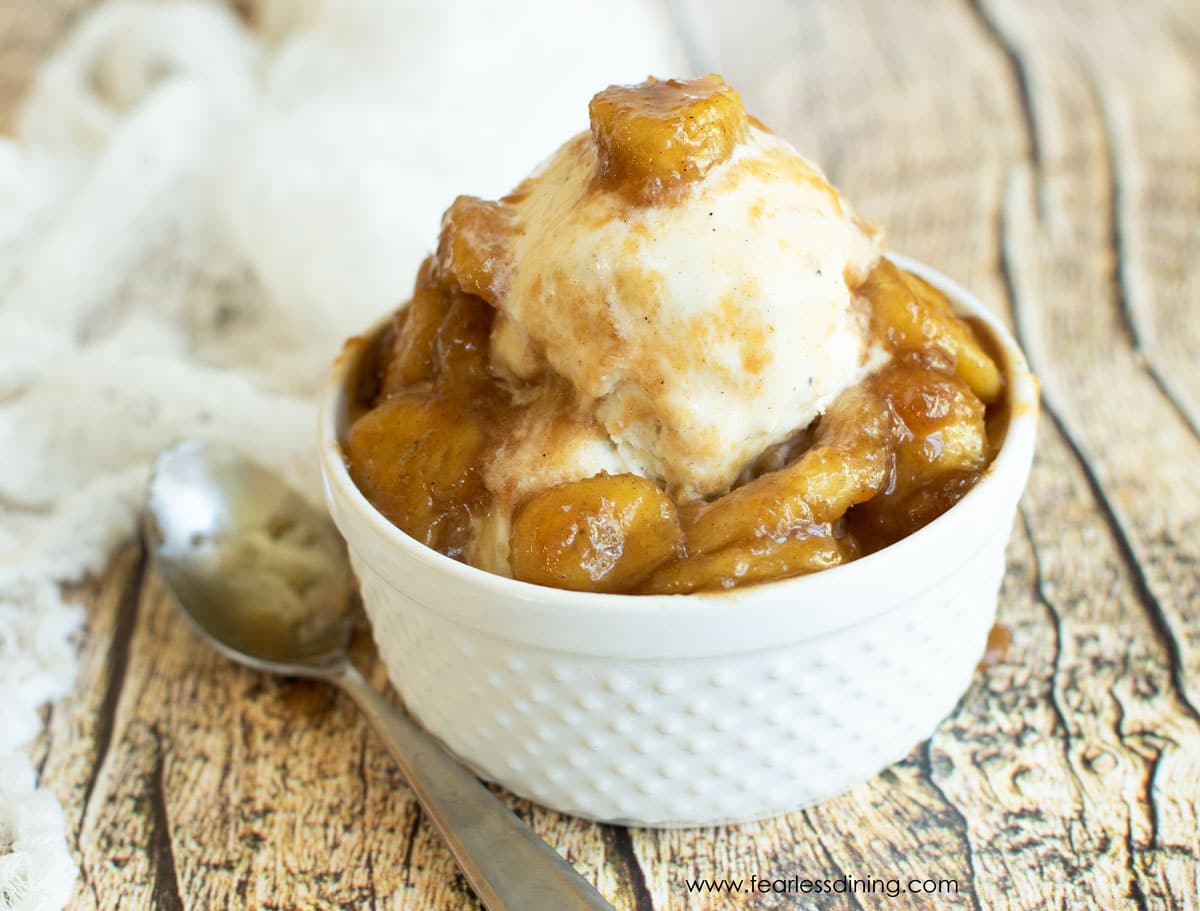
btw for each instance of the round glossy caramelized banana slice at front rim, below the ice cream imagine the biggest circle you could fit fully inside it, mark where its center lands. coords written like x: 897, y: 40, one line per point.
x: 599, y: 535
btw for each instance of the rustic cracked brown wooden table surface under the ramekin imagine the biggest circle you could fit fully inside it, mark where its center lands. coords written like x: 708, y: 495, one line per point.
x: 1046, y: 153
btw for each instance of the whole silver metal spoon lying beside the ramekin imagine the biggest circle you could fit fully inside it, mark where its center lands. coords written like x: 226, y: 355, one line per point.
x: 265, y: 578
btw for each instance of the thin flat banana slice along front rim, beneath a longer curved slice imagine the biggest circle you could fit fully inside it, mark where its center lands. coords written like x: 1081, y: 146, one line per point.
x: 746, y: 565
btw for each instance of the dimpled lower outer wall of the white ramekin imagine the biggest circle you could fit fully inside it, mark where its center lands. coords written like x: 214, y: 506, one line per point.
x: 688, y: 742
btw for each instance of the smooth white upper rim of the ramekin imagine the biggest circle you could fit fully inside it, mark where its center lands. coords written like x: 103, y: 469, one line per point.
x: 1015, y: 455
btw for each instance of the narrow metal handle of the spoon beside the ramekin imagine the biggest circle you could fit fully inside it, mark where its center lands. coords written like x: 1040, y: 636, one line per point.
x: 508, y: 866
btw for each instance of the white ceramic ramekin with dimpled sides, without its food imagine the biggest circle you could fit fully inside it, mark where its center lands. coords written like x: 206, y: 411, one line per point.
x: 692, y: 710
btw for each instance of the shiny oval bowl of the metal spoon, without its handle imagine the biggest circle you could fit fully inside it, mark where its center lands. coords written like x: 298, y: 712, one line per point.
x: 259, y: 570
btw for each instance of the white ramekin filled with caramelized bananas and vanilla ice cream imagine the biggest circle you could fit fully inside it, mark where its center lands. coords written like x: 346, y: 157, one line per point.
x: 674, y: 499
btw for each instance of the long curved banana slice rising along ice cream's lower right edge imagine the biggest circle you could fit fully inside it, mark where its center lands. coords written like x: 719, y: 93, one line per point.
x: 848, y: 465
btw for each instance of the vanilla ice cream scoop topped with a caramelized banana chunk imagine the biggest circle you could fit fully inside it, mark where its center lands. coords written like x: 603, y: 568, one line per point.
x: 685, y: 271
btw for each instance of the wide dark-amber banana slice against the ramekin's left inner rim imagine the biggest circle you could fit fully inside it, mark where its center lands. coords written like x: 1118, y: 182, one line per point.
x: 415, y: 458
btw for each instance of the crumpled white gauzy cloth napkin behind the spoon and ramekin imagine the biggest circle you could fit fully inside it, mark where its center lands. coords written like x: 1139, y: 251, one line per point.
x: 193, y: 218
